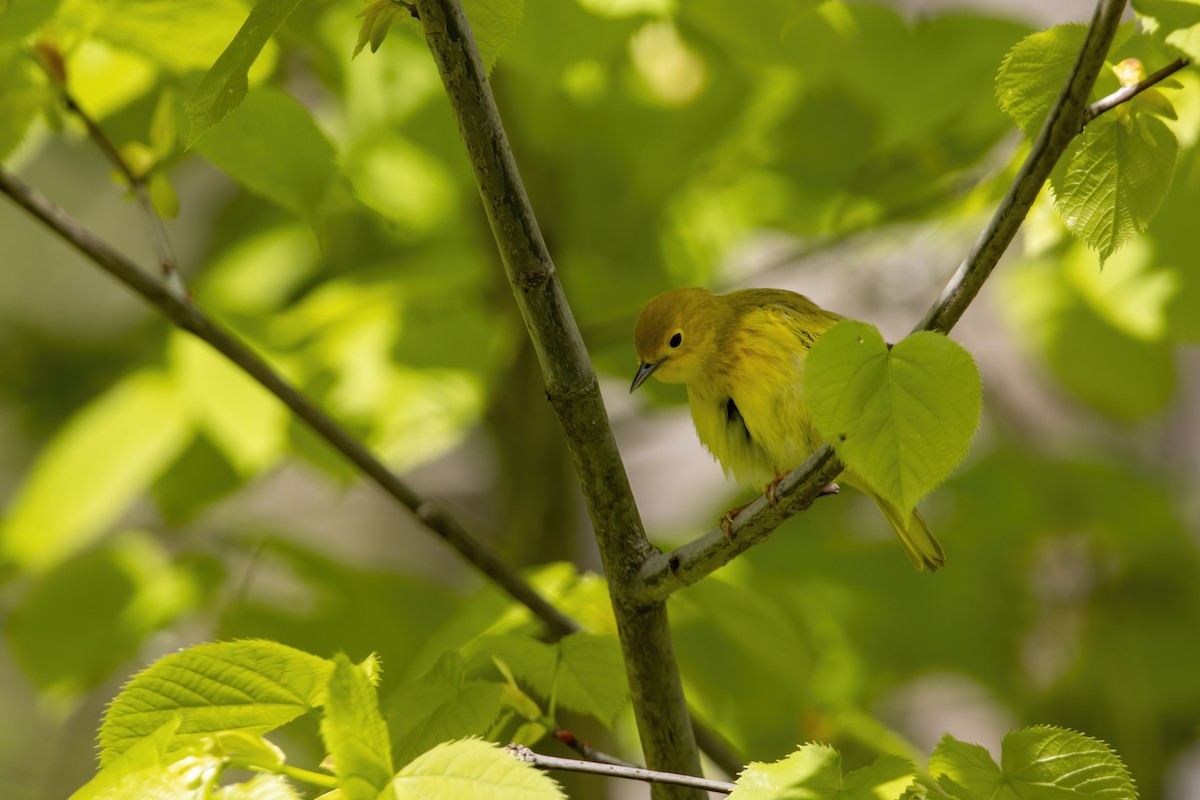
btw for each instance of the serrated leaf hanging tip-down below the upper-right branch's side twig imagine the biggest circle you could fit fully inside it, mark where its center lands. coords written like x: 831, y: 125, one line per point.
x: 1115, y: 179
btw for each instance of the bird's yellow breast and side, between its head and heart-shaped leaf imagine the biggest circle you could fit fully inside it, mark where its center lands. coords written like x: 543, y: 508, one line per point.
x: 749, y: 408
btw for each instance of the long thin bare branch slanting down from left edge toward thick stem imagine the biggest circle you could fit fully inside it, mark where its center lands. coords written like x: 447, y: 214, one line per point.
x: 188, y: 317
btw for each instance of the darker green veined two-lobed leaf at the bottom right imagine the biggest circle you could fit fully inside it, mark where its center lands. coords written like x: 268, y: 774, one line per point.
x: 1039, y: 763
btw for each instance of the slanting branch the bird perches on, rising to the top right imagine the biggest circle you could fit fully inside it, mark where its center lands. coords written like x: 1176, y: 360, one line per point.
x: 691, y: 563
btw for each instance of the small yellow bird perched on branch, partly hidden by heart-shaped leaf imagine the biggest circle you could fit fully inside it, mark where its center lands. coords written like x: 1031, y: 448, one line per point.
x: 742, y: 358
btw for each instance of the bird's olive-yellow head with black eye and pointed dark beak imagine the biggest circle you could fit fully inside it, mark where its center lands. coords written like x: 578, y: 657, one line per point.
x: 676, y: 336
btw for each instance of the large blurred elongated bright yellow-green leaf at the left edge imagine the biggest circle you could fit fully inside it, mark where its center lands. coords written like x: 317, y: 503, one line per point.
x: 86, y: 479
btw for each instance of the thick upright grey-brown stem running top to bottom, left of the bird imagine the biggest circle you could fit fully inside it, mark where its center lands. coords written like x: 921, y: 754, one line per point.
x: 572, y: 388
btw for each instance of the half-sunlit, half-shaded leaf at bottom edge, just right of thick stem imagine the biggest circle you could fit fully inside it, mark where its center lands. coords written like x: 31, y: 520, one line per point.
x: 814, y: 772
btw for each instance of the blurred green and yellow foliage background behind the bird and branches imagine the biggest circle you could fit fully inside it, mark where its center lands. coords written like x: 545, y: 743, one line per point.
x: 153, y: 498
